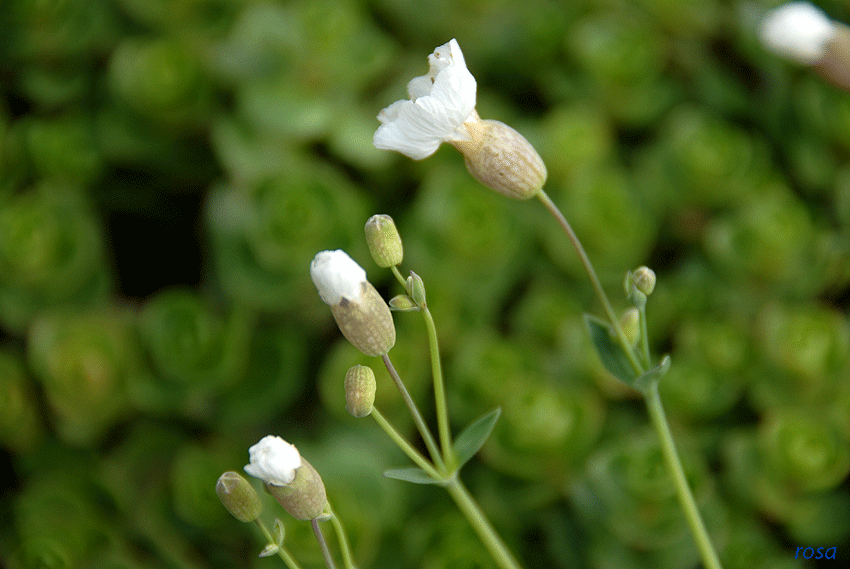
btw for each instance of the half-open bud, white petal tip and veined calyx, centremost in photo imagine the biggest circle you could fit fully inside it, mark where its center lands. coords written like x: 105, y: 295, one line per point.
x: 359, y: 310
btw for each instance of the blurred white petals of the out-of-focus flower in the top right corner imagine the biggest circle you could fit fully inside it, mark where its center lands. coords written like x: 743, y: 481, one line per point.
x: 798, y: 31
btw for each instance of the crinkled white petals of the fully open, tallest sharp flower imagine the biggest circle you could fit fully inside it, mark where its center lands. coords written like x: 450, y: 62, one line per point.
x: 441, y: 102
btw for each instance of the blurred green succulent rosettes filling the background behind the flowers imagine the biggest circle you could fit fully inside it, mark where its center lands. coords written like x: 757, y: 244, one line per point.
x: 168, y: 169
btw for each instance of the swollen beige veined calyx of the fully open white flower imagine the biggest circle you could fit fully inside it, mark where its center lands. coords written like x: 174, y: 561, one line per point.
x: 502, y: 159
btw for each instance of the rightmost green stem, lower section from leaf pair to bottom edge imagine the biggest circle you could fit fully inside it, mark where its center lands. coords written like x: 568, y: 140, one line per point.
x: 683, y: 490
